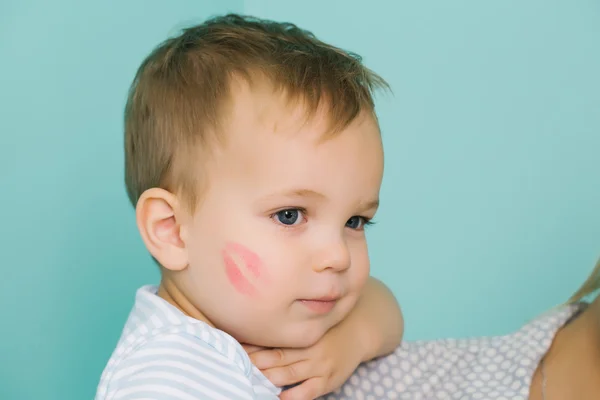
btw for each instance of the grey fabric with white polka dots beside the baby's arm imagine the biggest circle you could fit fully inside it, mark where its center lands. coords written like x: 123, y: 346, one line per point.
x: 466, y: 369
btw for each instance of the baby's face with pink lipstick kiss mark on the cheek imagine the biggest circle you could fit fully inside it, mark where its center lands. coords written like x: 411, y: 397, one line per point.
x: 277, y: 247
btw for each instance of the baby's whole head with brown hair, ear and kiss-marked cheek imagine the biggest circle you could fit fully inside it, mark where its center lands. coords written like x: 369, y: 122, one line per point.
x: 254, y: 159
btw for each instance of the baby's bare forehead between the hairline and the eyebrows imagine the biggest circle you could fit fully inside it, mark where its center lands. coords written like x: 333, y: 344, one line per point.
x: 289, y: 154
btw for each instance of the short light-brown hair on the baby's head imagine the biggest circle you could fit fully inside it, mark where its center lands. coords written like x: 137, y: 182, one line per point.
x: 178, y: 97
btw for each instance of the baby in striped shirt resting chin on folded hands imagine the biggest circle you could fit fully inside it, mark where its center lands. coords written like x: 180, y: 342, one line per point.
x: 254, y: 160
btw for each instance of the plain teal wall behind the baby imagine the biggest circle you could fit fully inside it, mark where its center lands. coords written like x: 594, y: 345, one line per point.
x: 491, y: 199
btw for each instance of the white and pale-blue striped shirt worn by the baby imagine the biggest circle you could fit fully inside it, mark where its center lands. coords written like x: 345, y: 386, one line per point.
x: 165, y: 355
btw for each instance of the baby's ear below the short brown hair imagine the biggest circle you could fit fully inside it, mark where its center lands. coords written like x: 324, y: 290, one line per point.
x: 156, y: 213
